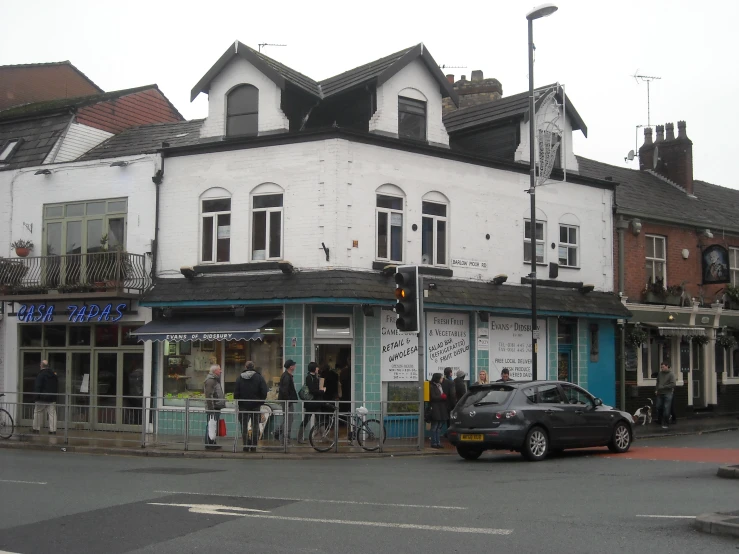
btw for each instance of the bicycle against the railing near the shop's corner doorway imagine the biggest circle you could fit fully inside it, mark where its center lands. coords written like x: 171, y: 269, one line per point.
x: 368, y: 432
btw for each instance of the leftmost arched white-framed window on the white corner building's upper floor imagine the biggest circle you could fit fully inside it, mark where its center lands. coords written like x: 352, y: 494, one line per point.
x: 215, y: 226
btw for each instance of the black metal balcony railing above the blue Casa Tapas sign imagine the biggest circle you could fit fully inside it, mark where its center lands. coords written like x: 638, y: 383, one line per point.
x: 112, y: 272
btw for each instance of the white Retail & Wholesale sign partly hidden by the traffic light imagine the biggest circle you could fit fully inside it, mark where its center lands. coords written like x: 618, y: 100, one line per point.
x: 399, y: 351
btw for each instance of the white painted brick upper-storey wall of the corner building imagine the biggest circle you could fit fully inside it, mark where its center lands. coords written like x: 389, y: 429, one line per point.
x: 330, y: 189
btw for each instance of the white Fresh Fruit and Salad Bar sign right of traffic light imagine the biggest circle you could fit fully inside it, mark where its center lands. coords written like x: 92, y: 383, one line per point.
x: 447, y: 342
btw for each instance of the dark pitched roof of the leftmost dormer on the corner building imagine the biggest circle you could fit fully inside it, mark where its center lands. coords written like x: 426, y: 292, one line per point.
x: 274, y: 70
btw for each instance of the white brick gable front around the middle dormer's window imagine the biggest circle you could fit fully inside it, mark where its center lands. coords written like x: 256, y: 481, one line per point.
x: 415, y: 76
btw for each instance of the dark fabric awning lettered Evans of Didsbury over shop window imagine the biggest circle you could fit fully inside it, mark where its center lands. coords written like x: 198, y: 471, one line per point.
x: 204, y: 328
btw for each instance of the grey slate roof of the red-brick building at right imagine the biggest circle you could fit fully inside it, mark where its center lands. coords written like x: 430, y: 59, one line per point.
x: 643, y: 194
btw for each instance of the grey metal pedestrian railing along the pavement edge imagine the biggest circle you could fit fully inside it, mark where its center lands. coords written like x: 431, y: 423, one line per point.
x: 149, y: 422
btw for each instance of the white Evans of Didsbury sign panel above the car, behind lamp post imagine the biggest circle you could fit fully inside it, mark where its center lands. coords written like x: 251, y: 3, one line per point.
x: 510, y: 346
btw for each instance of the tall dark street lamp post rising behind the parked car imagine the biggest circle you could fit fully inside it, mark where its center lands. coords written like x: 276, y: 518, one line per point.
x: 541, y: 11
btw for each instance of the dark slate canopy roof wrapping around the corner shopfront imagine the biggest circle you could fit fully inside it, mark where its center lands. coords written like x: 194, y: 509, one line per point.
x: 359, y: 285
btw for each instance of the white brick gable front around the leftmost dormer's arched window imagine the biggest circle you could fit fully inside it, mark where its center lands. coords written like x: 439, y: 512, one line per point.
x: 237, y: 72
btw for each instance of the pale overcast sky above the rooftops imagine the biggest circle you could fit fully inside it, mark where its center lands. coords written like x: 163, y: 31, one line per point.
x: 593, y: 47
